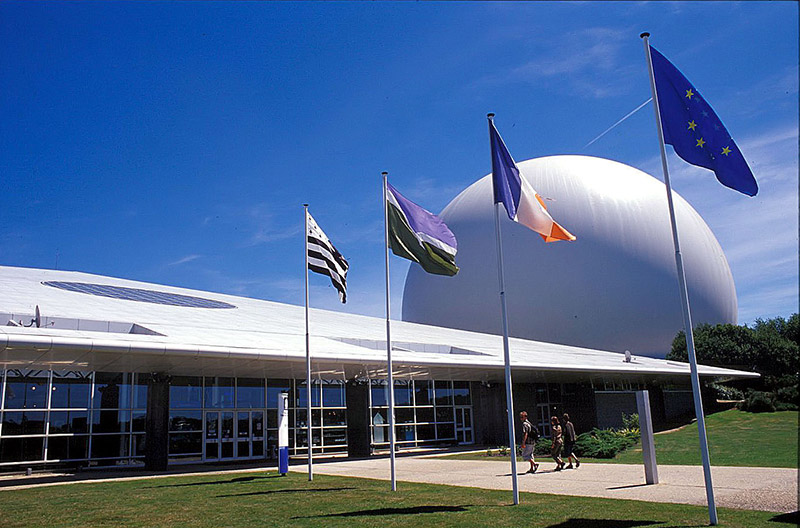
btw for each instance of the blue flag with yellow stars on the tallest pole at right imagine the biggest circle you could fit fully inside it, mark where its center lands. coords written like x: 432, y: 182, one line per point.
x: 694, y: 130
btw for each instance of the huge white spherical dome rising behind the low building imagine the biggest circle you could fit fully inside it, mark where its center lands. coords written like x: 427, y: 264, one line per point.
x: 615, y: 288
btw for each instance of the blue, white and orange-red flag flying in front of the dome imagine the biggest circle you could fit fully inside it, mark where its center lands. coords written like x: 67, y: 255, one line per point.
x: 522, y: 203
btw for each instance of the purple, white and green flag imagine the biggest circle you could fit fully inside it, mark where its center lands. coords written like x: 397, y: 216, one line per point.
x: 419, y: 235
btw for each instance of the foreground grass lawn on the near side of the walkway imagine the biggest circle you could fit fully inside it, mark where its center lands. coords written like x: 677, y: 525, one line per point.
x: 261, y: 500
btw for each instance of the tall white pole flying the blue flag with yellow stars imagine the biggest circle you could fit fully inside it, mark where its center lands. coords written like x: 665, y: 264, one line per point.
x: 687, y: 316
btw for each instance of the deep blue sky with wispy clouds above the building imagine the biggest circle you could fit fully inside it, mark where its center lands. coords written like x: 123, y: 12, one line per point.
x: 175, y: 142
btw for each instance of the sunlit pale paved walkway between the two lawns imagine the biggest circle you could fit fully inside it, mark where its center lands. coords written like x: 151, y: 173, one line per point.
x: 766, y: 489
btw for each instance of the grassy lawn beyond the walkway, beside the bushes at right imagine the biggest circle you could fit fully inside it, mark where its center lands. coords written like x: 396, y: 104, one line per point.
x: 735, y: 438
